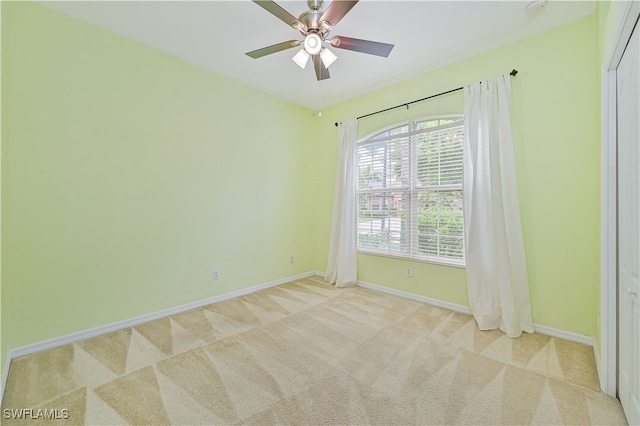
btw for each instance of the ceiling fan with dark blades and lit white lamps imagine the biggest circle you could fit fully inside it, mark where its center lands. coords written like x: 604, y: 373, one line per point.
x: 315, y: 25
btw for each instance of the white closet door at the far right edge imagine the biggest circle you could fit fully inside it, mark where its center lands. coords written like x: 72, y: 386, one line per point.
x: 628, y: 100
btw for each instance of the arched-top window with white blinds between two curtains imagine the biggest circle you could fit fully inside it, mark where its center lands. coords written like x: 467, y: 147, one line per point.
x: 409, y: 191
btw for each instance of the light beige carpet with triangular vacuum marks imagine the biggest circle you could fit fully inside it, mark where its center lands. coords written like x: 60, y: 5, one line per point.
x: 306, y: 353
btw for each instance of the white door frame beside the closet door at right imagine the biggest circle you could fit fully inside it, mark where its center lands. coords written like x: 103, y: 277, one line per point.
x: 625, y: 20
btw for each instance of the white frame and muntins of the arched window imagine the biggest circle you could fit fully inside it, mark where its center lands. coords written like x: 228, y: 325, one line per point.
x: 413, y: 190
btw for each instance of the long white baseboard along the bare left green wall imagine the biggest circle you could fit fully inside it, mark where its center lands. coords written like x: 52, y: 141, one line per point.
x: 107, y: 328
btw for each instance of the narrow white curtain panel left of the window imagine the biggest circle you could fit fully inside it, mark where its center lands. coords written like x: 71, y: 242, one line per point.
x: 342, y: 263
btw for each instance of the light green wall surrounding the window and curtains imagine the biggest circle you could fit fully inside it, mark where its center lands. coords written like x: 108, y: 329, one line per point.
x: 556, y: 130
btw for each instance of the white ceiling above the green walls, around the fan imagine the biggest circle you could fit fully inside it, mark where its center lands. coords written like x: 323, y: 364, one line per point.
x: 426, y: 35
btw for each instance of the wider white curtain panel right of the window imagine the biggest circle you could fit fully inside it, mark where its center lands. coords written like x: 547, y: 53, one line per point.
x: 494, y: 248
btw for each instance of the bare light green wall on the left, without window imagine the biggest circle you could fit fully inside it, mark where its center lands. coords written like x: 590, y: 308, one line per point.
x: 128, y: 175
